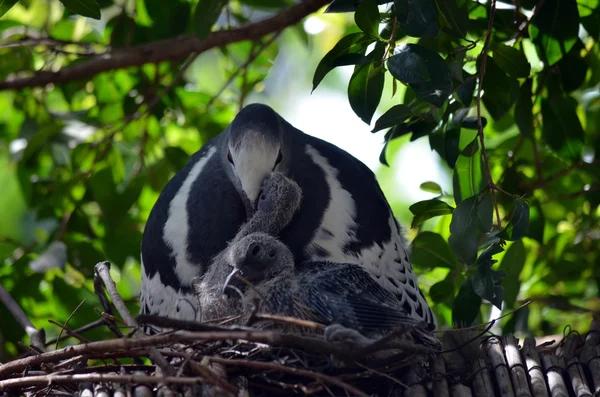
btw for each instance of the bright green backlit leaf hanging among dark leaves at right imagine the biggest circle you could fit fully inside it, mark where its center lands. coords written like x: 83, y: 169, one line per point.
x: 468, y: 176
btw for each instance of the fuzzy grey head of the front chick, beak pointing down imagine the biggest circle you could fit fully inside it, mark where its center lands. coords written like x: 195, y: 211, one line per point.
x: 258, y: 257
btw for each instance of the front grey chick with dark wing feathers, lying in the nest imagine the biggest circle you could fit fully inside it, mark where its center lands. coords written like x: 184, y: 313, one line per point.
x: 324, y: 292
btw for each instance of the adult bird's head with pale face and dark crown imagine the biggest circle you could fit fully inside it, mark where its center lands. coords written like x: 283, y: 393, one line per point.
x: 255, y: 148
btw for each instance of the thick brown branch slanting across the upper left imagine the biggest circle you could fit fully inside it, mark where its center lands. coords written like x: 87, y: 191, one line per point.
x: 166, y: 50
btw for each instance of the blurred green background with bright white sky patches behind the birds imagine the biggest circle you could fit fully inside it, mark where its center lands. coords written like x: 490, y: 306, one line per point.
x: 76, y: 167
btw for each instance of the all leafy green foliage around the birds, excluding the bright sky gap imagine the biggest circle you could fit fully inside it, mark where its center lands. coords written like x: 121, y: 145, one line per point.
x: 508, y: 98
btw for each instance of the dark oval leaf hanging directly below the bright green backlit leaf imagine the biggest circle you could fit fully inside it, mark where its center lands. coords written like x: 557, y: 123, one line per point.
x: 463, y: 230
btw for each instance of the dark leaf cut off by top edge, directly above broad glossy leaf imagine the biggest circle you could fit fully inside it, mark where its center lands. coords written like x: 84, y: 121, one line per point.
x: 417, y: 18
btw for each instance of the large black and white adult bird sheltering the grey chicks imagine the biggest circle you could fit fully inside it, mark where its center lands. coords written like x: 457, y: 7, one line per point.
x: 343, y: 218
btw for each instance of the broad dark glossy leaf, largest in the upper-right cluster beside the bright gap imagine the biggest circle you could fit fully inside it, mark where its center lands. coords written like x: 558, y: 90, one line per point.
x: 435, y: 90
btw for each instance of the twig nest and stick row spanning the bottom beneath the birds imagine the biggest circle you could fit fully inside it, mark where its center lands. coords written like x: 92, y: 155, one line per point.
x: 218, y: 360
